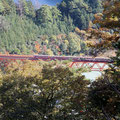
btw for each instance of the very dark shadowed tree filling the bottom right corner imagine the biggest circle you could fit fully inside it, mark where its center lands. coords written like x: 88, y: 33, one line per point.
x: 104, y: 98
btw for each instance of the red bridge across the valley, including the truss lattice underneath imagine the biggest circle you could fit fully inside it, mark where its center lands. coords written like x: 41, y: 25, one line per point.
x: 95, y: 64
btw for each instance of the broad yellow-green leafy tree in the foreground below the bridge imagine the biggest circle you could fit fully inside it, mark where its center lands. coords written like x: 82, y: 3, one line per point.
x: 37, y: 91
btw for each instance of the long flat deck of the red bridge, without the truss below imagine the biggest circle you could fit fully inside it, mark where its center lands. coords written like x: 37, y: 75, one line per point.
x: 47, y: 57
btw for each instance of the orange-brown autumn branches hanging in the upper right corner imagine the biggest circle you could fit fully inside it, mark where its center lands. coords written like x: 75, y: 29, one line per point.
x: 109, y: 25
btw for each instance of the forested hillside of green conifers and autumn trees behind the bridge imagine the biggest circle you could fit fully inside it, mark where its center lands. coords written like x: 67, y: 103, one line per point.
x: 47, y: 30
